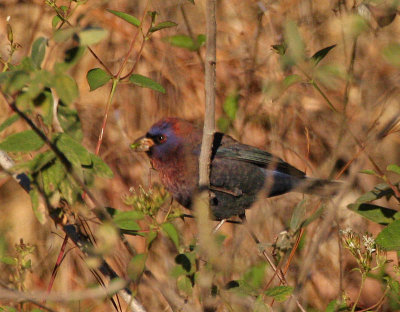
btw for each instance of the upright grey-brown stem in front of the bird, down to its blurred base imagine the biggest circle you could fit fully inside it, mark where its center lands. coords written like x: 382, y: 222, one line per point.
x: 210, y: 74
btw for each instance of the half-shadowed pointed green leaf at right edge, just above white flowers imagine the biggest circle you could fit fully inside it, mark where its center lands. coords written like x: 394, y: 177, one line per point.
x: 375, y: 213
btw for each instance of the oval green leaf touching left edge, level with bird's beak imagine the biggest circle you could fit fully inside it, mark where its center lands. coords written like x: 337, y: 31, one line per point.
x: 24, y: 141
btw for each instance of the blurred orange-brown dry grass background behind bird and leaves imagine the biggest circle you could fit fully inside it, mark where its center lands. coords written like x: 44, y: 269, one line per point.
x: 329, y: 131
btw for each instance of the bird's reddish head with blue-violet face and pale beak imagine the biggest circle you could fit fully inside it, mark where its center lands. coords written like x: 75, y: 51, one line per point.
x: 166, y: 138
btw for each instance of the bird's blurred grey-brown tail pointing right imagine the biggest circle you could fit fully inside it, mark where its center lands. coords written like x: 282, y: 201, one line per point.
x: 319, y: 187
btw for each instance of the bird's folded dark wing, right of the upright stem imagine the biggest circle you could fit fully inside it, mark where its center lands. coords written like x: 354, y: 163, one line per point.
x: 226, y: 147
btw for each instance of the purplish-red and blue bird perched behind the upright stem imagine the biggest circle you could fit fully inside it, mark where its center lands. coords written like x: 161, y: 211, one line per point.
x: 238, y: 172
